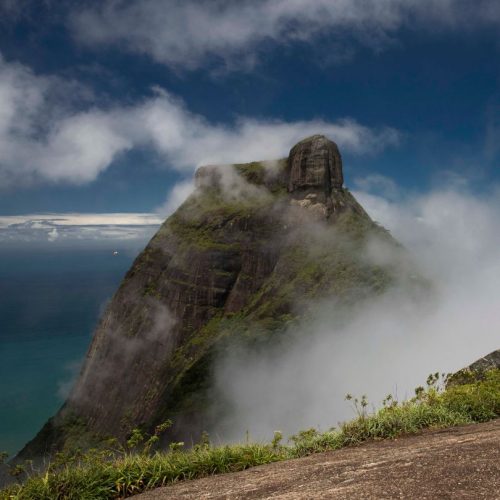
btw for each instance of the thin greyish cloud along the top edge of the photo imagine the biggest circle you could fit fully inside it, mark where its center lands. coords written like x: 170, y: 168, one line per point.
x: 189, y: 33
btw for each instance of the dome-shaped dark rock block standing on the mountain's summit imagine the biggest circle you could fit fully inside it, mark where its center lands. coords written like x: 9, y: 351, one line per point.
x: 315, y: 163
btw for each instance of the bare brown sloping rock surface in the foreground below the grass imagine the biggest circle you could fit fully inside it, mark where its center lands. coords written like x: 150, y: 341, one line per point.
x: 460, y: 462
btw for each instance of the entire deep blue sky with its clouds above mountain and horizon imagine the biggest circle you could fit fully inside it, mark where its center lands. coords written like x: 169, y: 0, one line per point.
x: 109, y: 107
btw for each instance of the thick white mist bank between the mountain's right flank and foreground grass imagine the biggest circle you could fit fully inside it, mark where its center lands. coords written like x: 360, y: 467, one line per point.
x: 391, y: 343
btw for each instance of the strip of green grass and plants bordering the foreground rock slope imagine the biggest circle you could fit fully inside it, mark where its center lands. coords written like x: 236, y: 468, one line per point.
x: 133, y: 467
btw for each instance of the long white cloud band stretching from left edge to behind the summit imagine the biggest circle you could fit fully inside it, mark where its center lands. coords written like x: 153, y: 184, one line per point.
x: 46, y: 138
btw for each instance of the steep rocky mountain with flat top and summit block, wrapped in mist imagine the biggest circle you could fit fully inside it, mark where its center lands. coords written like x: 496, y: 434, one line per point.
x: 244, y: 257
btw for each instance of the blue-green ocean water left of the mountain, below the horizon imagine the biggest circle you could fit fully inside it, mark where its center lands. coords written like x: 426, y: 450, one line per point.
x: 50, y: 302
